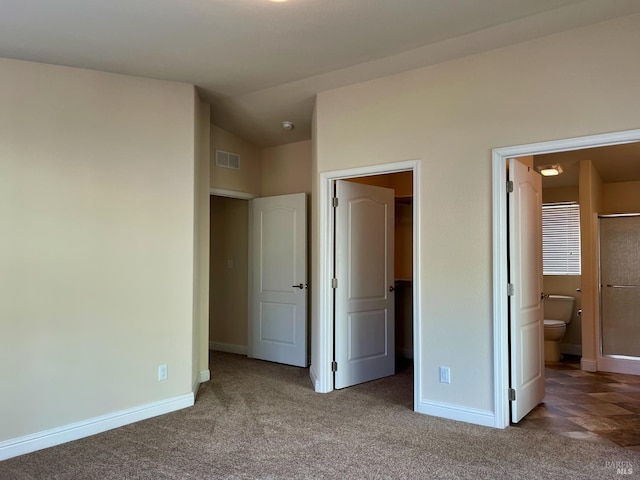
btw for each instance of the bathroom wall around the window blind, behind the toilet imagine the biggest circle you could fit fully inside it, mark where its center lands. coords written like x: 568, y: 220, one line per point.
x: 566, y: 284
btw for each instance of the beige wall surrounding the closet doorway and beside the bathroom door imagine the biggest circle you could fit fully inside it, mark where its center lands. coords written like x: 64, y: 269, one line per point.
x: 450, y: 116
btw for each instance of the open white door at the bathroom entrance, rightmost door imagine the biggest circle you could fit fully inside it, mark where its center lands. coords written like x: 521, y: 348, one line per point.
x: 526, y: 323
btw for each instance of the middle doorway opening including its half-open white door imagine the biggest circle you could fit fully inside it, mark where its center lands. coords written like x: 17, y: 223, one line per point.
x: 373, y: 268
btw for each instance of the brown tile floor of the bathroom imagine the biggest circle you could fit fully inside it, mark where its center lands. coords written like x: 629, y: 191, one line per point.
x: 599, y: 407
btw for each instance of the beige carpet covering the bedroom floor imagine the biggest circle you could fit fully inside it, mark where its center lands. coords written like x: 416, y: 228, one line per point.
x: 262, y: 420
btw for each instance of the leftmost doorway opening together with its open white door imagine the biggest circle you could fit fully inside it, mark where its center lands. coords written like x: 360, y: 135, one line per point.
x: 255, y: 308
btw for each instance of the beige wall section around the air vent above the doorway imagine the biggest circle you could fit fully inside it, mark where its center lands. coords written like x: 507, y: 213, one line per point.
x: 247, y: 178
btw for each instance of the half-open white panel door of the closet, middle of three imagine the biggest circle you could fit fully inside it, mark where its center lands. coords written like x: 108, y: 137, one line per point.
x: 364, y: 303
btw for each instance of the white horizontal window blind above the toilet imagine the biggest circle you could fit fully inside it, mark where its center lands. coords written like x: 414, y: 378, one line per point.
x: 561, y: 239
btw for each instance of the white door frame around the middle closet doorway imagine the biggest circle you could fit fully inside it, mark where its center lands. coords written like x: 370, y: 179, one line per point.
x: 321, y: 373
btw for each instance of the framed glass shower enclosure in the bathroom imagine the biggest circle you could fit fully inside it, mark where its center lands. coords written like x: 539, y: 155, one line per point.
x: 620, y: 286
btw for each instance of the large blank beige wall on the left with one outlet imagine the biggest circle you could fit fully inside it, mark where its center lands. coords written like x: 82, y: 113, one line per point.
x: 97, y: 208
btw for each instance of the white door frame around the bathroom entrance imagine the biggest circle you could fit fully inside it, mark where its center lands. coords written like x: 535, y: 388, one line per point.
x: 500, y: 274
